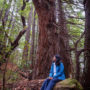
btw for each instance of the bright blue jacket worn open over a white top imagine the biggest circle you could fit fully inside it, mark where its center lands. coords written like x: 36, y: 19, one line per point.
x: 59, y: 71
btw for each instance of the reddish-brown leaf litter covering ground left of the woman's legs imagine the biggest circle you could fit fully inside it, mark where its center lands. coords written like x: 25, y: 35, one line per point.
x: 24, y: 84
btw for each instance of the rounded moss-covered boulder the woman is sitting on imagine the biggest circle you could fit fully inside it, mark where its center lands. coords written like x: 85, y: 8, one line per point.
x: 68, y: 84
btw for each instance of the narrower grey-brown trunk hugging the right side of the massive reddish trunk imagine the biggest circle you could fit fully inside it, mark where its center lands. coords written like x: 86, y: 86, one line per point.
x: 63, y: 39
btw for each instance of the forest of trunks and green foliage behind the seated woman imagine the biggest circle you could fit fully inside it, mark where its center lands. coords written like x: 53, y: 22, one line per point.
x: 33, y: 31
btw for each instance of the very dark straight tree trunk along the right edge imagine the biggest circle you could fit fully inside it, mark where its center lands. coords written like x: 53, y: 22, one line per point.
x: 87, y: 46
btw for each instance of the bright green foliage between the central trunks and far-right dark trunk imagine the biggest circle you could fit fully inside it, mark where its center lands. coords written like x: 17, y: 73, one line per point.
x: 75, y: 22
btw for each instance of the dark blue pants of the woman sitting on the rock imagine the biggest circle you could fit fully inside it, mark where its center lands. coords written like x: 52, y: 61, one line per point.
x: 49, y: 84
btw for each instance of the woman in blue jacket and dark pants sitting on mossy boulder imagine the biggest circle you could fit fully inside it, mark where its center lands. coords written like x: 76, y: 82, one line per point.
x: 56, y: 74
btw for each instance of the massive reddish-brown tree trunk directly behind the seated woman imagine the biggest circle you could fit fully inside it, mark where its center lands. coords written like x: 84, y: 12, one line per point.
x: 51, y: 40
